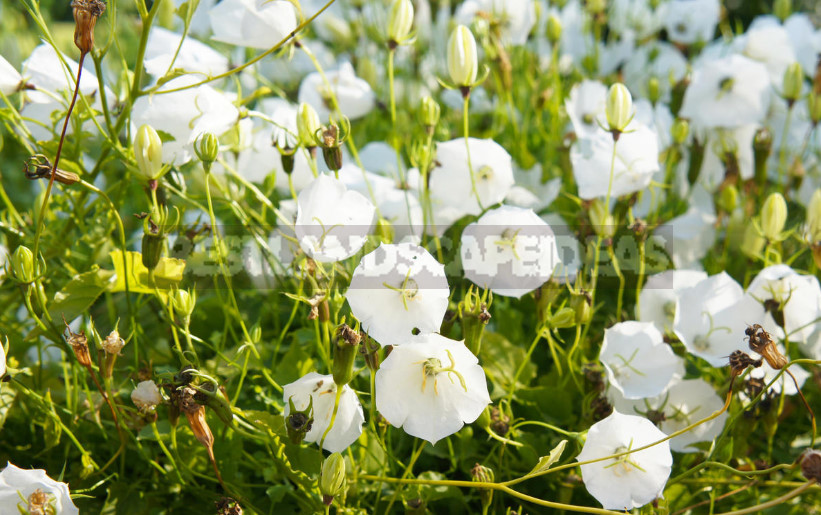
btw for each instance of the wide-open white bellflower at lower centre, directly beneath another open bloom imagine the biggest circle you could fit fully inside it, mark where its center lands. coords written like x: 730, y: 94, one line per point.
x: 431, y: 386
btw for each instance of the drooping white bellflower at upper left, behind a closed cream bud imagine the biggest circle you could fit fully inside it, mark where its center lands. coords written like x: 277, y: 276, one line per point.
x: 184, y: 116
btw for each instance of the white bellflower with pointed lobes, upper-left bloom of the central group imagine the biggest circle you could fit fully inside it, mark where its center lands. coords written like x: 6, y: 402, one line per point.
x: 332, y: 223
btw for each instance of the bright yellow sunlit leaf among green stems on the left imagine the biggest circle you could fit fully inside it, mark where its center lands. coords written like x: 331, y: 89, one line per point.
x: 167, y: 274
